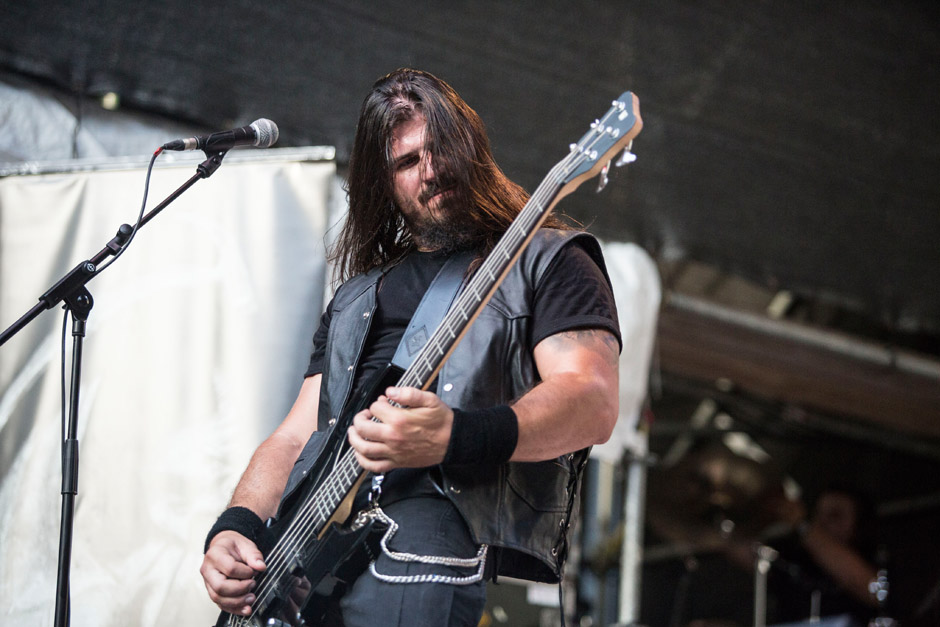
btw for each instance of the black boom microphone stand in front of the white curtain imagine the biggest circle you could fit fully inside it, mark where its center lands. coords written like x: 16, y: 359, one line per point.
x: 71, y: 289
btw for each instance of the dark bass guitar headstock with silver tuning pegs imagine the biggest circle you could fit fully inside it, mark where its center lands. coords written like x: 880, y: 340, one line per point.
x: 609, y: 135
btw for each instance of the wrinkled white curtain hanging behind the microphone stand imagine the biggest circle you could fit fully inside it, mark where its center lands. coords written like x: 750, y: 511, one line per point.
x: 195, y: 349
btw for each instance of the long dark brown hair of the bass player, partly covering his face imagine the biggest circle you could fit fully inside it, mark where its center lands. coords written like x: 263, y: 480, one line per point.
x: 374, y: 233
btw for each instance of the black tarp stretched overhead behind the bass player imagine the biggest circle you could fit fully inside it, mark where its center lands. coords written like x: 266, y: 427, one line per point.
x: 795, y: 144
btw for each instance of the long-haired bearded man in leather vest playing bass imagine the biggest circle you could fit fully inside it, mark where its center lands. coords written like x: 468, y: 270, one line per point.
x: 480, y: 470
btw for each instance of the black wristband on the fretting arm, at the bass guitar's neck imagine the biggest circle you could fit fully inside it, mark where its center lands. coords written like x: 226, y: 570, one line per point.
x: 483, y: 436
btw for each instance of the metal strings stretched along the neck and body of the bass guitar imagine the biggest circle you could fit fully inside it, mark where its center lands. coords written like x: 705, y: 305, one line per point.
x: 307, y: 521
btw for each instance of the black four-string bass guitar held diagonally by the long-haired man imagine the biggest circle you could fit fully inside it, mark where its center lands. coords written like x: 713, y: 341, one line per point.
x: 313, y: 537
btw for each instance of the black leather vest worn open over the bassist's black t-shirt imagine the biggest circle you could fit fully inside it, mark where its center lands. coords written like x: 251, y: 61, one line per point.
x: 522, y: 510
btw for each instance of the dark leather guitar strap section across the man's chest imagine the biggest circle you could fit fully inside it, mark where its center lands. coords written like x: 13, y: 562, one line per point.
x: 432, y: 308
